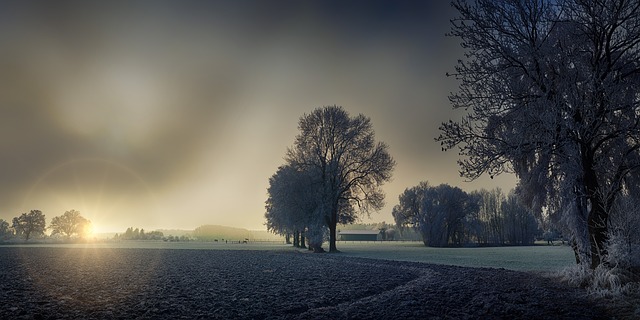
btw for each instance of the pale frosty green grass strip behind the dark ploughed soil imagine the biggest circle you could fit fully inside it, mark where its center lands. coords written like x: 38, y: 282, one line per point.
x: 530, y: 258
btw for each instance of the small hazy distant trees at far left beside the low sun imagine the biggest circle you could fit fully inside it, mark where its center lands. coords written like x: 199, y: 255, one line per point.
x: 70, y: 224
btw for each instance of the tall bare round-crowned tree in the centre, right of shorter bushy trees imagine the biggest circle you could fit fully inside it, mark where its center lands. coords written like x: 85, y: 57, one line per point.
x: 351, y: 165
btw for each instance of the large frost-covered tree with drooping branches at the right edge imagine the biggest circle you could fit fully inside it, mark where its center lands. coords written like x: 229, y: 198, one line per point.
x: 550, y: 89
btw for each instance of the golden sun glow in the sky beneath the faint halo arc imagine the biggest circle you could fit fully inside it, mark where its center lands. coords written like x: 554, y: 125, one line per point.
x: 102, y: 190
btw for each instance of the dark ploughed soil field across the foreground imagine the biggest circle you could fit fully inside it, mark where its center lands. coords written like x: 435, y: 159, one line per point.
x: 64, y: 283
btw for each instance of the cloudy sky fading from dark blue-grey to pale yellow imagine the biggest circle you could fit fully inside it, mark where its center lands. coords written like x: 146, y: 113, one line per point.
x: 174, y: 114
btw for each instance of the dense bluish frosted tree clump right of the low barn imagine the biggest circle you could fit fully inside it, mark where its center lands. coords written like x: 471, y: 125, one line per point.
x: 447, y: 216
